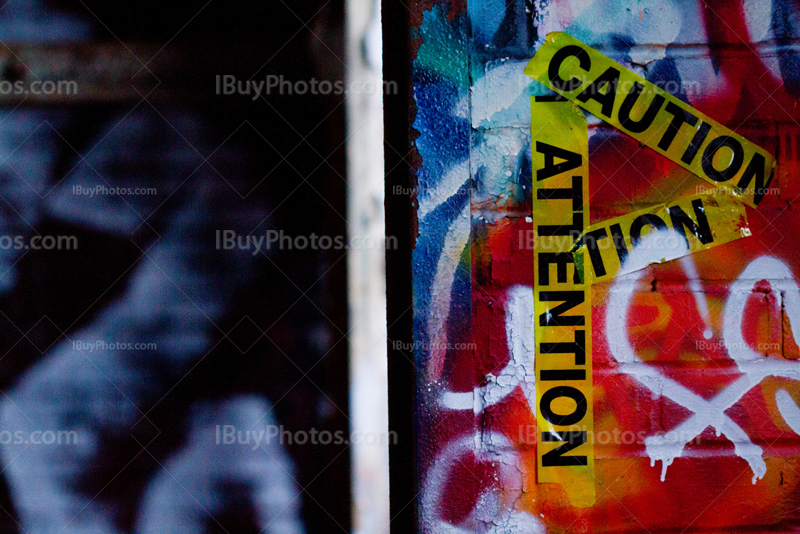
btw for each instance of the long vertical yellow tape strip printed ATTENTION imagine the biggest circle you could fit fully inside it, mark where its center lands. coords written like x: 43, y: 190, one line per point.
x: 562, y: 296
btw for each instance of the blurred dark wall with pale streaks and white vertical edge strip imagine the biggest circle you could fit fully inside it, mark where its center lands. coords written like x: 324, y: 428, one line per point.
x: 183, y: 339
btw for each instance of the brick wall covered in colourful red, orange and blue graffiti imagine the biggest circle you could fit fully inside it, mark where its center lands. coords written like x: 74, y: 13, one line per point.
x: 695, y: 379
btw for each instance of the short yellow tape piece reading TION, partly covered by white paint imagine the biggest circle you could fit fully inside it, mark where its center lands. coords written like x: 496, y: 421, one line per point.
x: 687, y: 225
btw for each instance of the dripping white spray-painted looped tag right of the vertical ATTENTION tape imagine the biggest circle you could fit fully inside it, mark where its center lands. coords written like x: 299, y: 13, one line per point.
x: 754, y: 366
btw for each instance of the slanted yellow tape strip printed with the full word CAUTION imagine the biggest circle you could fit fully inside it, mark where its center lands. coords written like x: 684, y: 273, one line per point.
x: 652, y: 116
